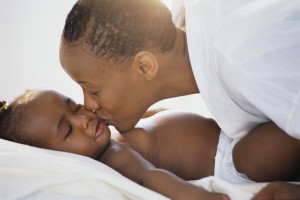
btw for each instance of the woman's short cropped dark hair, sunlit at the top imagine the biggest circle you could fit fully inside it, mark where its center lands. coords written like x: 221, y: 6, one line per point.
x: 118, y: 29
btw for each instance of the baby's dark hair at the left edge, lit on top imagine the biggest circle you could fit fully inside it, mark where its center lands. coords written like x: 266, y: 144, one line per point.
x: 12, y: 120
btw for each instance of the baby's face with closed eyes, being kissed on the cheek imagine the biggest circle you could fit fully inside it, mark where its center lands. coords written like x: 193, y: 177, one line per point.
x: 56, y: 122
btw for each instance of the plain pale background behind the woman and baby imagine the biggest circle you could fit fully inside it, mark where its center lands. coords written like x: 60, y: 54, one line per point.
x: 29, y: 43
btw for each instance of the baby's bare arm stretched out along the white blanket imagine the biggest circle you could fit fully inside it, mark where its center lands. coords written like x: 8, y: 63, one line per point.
x: 132, y: 165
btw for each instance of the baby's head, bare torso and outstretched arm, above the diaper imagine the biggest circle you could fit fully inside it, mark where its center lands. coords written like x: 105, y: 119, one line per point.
x: 47, y: 119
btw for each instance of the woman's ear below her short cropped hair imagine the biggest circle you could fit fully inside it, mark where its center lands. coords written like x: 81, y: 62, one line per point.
x: 145, y: 63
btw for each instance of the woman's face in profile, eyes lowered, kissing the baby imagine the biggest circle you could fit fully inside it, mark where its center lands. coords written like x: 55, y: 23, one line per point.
x: 115, y: 91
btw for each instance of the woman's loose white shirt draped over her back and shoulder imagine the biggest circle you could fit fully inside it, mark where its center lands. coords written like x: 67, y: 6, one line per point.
x: 245, y: 56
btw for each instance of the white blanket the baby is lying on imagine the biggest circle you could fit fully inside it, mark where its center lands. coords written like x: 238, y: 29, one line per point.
x: 33, y: 173
